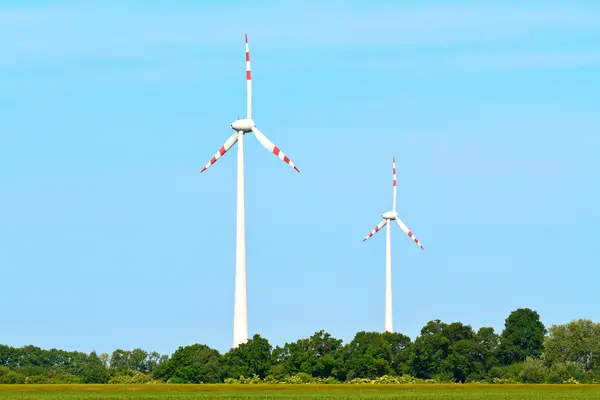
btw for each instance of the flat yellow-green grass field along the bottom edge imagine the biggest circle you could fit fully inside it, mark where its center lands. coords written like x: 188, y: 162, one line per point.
x: 421, y: 392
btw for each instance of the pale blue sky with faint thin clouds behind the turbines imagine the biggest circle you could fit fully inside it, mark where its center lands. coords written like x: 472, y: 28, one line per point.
x: 111, y: 238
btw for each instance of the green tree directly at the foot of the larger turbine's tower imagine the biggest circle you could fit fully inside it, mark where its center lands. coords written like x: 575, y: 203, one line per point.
x: 248, y: 359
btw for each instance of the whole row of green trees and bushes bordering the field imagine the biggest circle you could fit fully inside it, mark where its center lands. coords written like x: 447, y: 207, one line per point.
x: 525, y: 351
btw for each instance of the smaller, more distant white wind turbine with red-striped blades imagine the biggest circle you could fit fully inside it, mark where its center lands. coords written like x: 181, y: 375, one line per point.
x: 387, y: 217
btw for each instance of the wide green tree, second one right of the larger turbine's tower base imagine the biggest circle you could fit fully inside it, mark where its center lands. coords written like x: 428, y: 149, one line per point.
x: 319, y: 355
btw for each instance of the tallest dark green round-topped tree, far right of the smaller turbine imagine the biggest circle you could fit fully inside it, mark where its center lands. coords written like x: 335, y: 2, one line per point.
x: 522, y: 337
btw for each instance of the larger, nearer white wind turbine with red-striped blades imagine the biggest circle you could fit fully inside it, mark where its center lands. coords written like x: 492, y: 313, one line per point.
x: 241, y: 127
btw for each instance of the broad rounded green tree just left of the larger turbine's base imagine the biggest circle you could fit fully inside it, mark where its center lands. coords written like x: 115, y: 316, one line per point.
x: 197, y: 363
